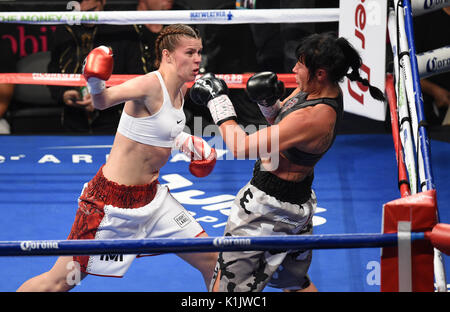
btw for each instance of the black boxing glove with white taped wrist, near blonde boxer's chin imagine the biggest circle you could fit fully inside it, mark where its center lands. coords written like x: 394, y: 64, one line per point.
x: 212, y: 92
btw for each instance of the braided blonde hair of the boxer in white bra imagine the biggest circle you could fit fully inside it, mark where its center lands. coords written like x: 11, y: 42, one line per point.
x: 169, y: 38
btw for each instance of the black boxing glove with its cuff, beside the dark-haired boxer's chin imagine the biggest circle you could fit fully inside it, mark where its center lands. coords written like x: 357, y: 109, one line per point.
x: 265, y: 89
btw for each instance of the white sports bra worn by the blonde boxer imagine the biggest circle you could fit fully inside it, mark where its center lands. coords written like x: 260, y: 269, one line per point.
x: 159, y: 129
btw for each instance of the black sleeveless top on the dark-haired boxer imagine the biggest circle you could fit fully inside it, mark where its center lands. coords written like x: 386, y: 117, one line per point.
x: 299, y: 101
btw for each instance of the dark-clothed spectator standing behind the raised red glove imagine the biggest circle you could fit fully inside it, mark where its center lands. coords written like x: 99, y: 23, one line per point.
x: 71, y: 46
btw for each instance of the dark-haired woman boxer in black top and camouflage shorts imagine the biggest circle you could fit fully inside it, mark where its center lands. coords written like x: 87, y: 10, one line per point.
x: 279, y: 200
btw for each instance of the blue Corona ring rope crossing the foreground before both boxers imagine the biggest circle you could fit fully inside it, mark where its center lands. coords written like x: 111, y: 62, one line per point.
x: 200, y: 244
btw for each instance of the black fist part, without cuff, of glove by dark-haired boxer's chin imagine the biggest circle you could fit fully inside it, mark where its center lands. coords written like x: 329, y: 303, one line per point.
x: 264, y: 88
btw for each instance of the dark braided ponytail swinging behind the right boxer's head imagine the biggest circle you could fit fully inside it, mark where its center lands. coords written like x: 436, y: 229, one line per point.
x: 354, y: 62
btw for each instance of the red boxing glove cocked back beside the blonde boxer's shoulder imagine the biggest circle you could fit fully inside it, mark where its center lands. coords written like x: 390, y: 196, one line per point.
x: 97, y: 68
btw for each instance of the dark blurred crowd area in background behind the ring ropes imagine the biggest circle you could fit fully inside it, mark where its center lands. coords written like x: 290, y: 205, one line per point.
x: 239, y: 48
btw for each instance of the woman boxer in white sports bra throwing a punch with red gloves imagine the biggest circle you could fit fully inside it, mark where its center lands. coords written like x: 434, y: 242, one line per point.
x: 125, y: 200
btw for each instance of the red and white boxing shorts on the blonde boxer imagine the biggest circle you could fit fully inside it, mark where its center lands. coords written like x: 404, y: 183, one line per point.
x: 107, y: 210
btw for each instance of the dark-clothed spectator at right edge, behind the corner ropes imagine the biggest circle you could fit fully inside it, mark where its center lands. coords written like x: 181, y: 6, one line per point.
x: 435, y: 89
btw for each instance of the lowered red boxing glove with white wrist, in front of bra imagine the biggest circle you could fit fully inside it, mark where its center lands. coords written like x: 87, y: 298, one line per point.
x: 203, y: 157
